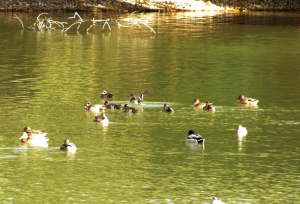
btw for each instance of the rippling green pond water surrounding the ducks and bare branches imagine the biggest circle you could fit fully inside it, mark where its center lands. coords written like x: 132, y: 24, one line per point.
x: 46, y: 76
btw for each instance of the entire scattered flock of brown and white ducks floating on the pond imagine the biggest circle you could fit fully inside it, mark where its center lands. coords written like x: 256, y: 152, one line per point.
x: 33, y: 136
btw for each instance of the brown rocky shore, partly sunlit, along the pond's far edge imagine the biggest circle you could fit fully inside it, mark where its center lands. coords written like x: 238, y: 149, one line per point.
x: 147, y: 5
